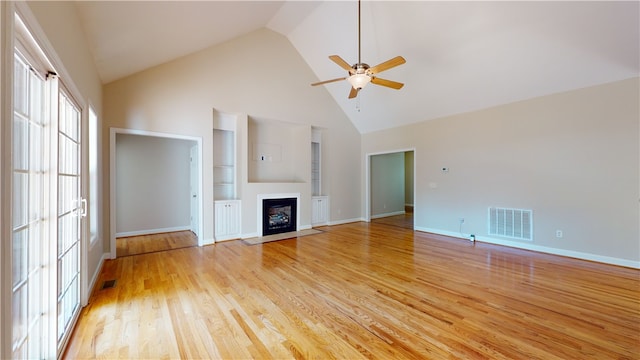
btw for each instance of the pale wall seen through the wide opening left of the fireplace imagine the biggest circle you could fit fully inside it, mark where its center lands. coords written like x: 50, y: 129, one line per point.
x: 153, y: 184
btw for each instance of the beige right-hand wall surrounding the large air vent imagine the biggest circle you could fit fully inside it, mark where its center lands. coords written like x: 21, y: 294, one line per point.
x: 573, y: 158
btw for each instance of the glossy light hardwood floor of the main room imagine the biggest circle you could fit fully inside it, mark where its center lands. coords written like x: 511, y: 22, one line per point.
x: 360, y: 291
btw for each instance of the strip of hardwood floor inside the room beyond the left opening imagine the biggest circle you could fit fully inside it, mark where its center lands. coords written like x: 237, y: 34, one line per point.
x: 142, y: 244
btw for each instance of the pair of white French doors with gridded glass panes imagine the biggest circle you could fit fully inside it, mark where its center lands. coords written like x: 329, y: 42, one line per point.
x: 47, y: 211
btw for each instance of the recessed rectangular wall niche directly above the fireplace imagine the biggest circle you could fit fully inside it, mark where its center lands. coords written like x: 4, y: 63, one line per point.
x: 278, y: 152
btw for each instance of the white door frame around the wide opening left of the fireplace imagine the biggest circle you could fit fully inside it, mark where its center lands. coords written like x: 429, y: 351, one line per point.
x: 113, y: 132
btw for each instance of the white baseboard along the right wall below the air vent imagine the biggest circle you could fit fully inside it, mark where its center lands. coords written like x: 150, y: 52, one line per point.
x: 538, y: 248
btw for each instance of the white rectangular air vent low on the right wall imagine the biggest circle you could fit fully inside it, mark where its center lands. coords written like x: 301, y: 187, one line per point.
x: 511, y: 223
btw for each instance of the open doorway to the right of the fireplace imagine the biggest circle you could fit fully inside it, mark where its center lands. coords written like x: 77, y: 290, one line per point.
x: 390, y: 188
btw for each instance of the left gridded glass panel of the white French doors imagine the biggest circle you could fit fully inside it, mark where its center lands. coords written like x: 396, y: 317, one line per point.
x: 28, y: 211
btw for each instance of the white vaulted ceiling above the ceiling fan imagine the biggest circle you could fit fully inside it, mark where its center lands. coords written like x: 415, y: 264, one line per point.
x: 461, y: 56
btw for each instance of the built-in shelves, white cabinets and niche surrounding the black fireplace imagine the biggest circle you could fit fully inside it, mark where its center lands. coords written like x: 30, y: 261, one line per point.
x: 264, y: 156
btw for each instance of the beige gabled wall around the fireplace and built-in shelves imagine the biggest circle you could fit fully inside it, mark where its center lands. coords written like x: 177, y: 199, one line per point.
x: 260, y: 75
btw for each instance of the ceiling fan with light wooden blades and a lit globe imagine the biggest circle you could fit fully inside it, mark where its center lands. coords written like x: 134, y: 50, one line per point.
x: 360, y: 74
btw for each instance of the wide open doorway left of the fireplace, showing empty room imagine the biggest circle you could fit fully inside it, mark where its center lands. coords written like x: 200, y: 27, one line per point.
x: 156, y: 184
